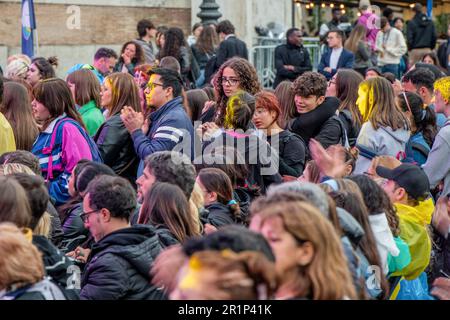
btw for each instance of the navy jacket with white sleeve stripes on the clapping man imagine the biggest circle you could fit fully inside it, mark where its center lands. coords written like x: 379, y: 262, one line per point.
x: 169, y: 126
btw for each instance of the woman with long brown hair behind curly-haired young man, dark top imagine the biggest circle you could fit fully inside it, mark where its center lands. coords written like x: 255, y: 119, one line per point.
x: 344, y: 86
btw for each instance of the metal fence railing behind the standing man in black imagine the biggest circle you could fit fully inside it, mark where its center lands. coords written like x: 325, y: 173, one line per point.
x: 263, y: 57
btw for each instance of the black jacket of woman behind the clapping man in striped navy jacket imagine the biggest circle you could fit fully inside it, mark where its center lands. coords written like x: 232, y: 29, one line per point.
x: 117, y: 148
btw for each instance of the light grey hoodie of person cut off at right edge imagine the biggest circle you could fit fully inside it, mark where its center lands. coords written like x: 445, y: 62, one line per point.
x: 437, y: 166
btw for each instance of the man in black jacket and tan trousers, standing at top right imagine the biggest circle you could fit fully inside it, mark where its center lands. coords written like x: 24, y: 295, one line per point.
x: 421, y: 35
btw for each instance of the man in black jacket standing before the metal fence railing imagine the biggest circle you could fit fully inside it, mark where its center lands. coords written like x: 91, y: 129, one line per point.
x: 291, y: 59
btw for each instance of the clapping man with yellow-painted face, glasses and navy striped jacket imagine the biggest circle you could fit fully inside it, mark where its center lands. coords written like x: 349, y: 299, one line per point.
x: 168, y: 125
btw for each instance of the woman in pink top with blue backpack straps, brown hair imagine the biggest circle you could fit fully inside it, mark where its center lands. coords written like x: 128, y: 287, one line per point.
x: 63, y: 140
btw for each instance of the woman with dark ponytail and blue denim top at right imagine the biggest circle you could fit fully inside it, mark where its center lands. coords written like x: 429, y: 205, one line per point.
x: 423, y: 126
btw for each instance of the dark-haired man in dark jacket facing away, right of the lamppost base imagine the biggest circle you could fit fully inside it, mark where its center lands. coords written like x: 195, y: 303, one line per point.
x: 230, y: 45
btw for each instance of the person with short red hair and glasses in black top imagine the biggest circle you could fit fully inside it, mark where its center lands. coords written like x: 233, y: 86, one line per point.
x: 291, y: 147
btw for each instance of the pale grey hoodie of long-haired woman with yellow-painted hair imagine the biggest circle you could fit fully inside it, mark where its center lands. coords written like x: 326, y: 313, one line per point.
x: 383, y: 141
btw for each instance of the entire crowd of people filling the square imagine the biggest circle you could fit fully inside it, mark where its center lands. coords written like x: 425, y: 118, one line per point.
x: 168, y: 172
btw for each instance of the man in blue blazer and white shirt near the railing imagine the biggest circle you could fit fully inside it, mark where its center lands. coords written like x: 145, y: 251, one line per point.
x: 336, y: 57
